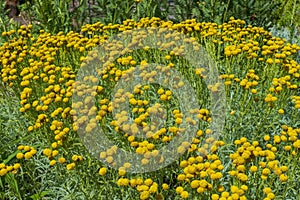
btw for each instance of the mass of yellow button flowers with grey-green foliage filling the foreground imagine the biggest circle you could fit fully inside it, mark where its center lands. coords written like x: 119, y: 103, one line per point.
x: 148, y: 108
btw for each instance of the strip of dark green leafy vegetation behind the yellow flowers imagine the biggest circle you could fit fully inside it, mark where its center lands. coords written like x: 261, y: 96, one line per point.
x: 66, y: 15
